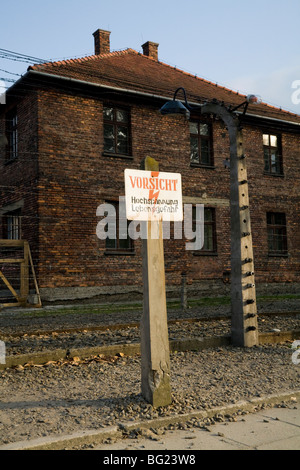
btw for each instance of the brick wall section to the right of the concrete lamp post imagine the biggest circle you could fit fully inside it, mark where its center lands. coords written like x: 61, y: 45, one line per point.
x: 274, y: 194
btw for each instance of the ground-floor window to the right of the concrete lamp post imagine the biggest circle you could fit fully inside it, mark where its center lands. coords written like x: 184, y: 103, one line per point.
x: 277, y: 235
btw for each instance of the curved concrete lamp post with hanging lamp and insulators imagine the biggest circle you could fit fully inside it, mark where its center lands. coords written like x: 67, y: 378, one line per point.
x: 244, y: 331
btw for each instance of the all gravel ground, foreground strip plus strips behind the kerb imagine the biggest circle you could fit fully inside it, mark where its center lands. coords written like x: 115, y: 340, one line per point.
x: 68, y: 396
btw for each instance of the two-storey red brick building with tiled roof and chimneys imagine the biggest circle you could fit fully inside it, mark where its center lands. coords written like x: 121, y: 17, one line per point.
x: 74, y: 126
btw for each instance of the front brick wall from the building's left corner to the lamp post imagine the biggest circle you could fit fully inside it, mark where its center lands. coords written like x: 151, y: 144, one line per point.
x: 75, y: 178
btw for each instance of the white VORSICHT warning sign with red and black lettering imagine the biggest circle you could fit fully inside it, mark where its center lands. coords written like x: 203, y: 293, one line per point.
x: 153, y: 195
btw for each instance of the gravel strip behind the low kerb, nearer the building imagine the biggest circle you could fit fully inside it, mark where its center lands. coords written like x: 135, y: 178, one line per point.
x: 47, y: 339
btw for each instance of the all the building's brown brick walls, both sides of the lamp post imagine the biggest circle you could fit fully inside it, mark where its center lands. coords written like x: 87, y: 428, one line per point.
x: 74, y: 178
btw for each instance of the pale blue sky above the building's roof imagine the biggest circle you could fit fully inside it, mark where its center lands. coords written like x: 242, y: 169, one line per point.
x: 247, y: 46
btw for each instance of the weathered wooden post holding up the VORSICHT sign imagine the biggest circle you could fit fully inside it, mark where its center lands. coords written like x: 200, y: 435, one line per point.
x: 155, y: 355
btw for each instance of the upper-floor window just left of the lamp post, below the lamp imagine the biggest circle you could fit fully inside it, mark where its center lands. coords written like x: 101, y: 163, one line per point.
x: 200, y: 139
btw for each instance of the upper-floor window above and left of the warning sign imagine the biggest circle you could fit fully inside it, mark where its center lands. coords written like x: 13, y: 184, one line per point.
x: 116, y: 131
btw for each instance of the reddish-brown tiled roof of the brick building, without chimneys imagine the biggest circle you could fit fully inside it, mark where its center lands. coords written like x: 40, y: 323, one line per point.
x: 137, y: 72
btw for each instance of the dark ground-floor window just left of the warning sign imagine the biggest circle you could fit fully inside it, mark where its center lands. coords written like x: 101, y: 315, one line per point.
x: 122, y: 243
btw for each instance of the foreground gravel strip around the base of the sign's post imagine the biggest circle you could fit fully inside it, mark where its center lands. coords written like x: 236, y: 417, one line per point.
x: 62, y: 398
